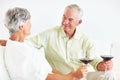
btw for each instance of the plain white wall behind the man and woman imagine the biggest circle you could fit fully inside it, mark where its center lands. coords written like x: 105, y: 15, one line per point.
x: 101, y: 19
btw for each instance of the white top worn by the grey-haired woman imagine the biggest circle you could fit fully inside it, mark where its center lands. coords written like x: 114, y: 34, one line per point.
x: 24, y: 62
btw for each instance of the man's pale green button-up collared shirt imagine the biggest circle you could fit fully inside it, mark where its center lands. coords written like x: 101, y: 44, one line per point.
x: 62, y: 53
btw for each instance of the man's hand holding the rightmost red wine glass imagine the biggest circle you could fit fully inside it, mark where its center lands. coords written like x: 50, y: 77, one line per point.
x: 105, y: 65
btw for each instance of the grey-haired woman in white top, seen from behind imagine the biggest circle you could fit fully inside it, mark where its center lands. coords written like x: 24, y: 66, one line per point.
x: 22, y: 60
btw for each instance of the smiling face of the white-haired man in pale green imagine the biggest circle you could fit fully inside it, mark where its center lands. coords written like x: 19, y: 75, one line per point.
x: 70, y: 20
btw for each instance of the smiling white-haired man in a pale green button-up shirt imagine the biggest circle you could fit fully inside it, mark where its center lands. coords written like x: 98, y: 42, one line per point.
x: 64, y: 45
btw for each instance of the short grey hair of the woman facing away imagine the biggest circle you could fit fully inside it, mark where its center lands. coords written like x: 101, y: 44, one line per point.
x: 15, y: 17
